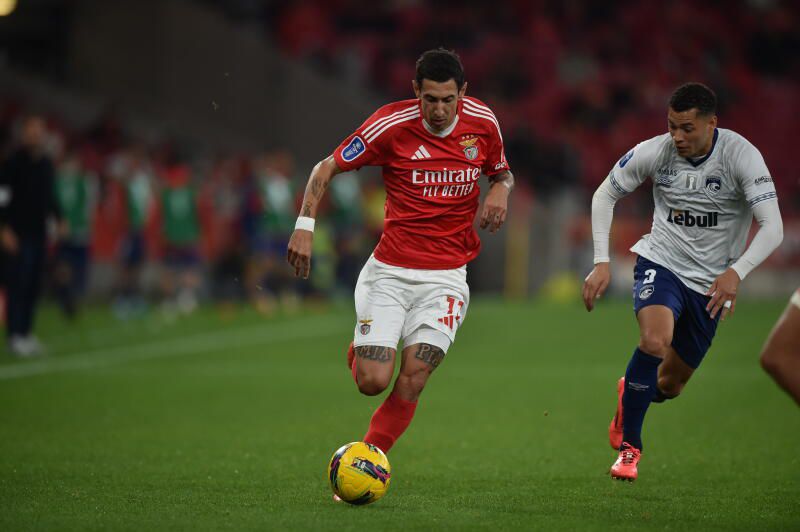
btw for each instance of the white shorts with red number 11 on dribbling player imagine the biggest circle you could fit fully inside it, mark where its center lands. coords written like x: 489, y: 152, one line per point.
x: 417, y: 306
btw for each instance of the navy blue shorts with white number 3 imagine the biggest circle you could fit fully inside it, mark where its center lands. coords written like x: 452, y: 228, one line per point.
x: 694, y: 329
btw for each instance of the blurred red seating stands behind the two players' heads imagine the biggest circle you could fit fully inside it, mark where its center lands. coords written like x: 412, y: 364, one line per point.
x: 574, y: 83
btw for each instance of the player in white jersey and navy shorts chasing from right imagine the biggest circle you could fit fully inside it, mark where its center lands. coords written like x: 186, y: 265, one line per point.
x: 708, y: 184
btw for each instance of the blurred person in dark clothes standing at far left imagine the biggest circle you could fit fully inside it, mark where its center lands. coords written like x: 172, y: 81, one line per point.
x: 27, y: 202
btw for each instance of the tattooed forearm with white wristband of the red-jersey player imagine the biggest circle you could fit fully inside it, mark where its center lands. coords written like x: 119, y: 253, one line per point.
x: 299, y: 251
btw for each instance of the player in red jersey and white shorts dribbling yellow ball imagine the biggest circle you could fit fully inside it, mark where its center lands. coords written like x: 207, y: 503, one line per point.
x: 432, y: 150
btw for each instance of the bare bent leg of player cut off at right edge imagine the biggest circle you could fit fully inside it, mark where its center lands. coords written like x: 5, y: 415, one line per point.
x: 780, y: 356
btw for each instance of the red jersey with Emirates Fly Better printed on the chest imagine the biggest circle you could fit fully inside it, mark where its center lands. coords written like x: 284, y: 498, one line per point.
x: 431, y: 180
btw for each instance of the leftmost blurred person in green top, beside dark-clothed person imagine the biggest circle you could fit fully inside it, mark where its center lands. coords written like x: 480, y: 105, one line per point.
x: 76, y: 192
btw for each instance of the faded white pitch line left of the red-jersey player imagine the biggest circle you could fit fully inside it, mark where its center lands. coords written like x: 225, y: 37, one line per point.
x: 224, y: 340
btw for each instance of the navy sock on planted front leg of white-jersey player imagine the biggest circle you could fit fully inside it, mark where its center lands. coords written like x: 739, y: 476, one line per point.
x: 641, y: 385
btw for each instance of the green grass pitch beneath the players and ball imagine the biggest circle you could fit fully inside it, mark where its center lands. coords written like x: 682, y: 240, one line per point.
x: 207, y: 424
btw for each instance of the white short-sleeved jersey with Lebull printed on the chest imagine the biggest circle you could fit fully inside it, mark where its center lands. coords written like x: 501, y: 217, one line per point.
x: 703, y: 207
